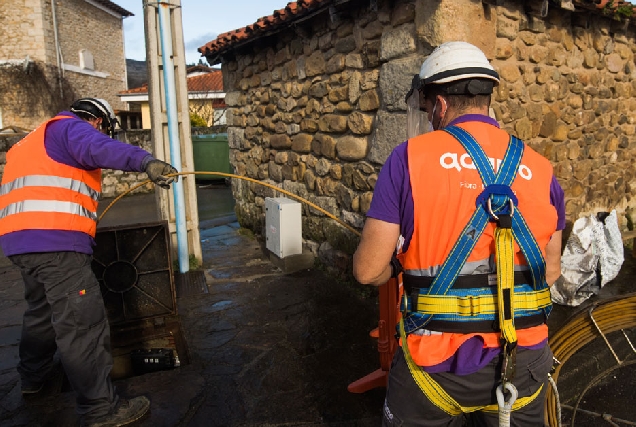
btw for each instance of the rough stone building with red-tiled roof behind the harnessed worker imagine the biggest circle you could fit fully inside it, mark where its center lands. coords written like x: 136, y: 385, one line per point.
x: 316, y: 97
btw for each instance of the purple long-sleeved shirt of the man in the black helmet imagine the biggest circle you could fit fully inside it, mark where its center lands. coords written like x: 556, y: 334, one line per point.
x: 76, y: 143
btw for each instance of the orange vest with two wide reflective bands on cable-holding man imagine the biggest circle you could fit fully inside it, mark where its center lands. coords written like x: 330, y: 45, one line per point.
x: 38, y: 193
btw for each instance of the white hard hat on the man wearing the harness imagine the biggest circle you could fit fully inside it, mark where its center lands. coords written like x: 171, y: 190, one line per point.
x: 453, y: 61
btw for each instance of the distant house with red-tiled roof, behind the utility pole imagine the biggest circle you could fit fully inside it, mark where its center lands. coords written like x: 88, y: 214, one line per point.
x: 205, y: 94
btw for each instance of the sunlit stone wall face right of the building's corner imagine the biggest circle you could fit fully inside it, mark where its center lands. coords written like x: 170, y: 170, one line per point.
x: 567, y: 90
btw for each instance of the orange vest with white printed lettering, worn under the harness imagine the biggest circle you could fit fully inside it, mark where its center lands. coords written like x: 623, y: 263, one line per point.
x: 445, y: 185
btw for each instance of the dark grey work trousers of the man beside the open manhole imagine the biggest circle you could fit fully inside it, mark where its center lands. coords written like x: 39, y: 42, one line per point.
x: 66, y: 313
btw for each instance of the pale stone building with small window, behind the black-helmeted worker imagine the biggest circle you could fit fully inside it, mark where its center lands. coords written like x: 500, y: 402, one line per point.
x: 52, y: 52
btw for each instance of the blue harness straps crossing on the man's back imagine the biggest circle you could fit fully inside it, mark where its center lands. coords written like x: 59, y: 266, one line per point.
x: 496, y: 199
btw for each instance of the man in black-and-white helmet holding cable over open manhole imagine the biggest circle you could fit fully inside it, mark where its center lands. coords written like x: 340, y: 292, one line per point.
x: 48, y: 216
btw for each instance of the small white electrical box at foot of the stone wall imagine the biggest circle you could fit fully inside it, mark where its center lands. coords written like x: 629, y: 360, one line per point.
x: 283, y: 226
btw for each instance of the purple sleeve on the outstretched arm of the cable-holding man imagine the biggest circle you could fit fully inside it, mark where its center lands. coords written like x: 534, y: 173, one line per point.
x: 76, y: 143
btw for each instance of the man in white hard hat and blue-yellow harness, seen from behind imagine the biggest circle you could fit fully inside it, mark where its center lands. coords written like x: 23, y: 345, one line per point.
x: 476, y: 217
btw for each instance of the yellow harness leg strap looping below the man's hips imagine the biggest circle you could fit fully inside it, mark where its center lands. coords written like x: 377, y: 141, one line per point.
x: 438, y: 396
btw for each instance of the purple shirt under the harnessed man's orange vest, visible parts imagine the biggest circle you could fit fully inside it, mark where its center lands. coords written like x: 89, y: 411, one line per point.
x: 393, y: 202
